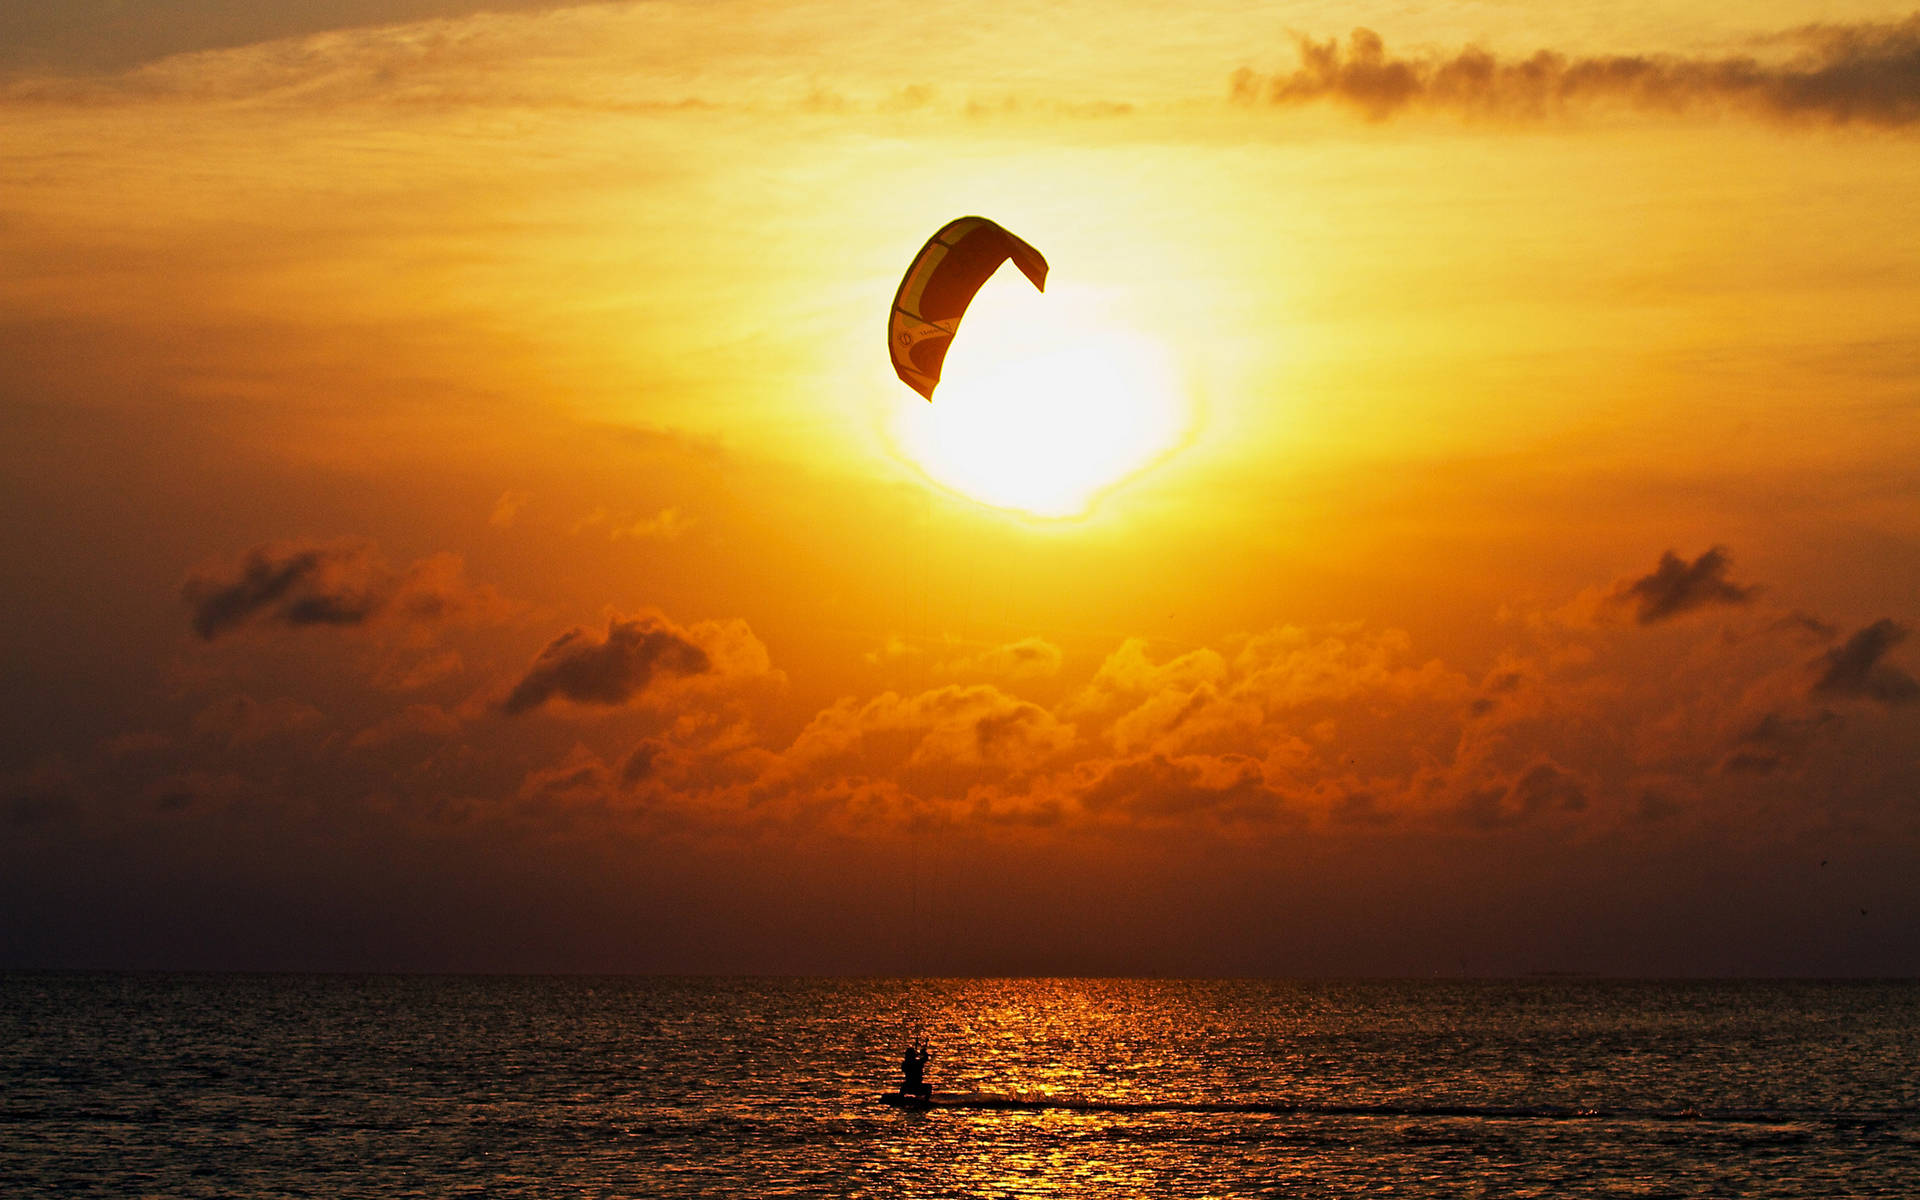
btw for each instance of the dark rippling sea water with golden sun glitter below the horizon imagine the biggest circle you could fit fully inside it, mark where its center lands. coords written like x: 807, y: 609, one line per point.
x: 266, y: 1086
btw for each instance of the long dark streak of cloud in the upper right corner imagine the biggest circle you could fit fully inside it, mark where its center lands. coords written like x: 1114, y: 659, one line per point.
x: 1865, y: 74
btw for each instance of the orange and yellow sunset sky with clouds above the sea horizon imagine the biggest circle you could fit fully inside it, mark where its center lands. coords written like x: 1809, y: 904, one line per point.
x: 1454, y: 510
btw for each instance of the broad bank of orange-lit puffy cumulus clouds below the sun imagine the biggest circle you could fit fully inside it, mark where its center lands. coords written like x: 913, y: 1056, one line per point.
x: 1341, y: 729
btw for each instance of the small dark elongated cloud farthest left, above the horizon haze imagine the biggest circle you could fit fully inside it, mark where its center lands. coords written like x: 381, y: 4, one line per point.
x: 329, y: 585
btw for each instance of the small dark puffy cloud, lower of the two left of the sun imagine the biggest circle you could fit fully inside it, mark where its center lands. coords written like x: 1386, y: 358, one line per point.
x: 608, y: 671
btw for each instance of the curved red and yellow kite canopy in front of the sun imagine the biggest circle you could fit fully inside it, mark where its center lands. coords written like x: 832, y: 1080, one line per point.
x: 938, y: 287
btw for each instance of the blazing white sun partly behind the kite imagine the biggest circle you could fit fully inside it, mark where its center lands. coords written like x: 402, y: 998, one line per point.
x: 1045, y: 404
